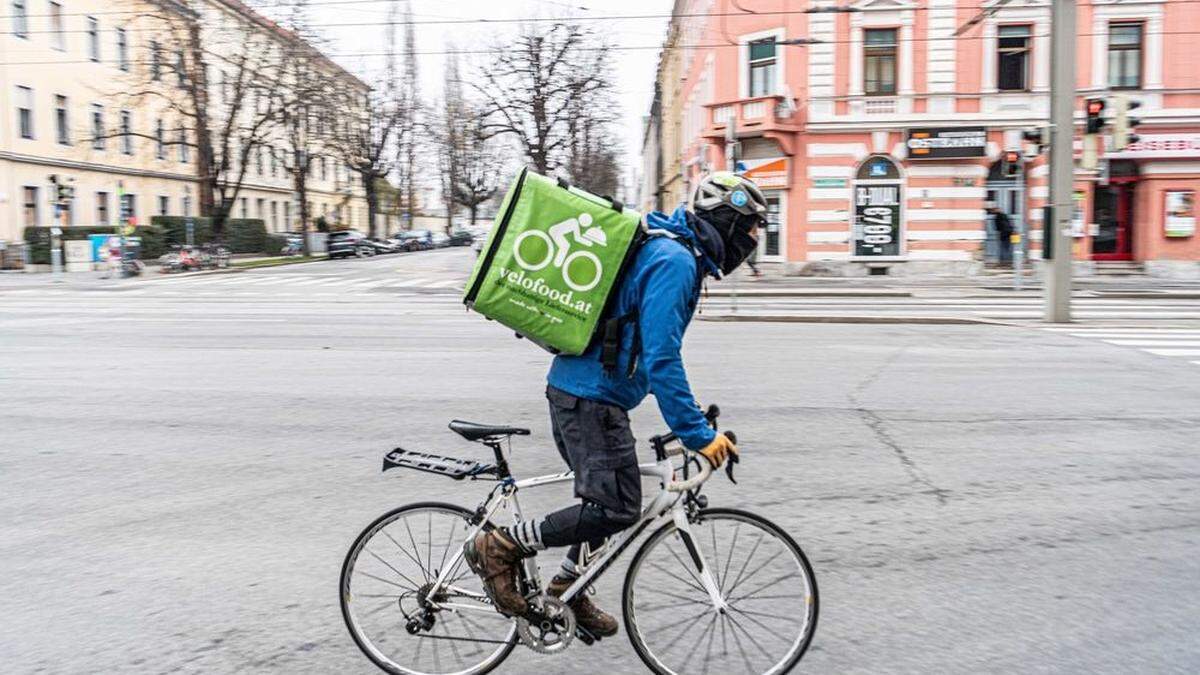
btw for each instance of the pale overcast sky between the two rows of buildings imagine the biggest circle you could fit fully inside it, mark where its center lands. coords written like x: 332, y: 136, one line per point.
x: 358, y: 47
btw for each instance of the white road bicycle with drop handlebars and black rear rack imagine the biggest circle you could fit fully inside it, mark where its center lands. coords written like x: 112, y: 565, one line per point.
x: 688, y: 580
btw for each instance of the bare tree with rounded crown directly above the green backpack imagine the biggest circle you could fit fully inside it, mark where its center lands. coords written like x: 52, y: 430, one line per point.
x: 537, y: 89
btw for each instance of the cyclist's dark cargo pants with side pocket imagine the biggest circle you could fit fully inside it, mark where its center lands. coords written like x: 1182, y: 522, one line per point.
x: 598, y: 444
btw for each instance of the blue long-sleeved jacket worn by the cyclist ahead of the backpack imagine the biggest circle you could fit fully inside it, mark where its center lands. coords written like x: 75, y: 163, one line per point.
x: 663, y: 285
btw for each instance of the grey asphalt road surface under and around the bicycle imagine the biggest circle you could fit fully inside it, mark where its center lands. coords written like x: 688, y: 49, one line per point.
x: 185, y: 468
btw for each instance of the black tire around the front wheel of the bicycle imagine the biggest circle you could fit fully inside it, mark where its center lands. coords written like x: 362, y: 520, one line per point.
x: 629, y: 614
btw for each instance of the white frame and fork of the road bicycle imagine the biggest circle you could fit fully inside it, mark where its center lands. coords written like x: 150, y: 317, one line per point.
x: 668, y: 504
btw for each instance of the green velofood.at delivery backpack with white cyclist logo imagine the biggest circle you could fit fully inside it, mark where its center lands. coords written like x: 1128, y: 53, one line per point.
x: 553, y: 264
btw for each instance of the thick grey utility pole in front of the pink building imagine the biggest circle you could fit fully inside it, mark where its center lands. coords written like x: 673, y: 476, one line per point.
x: 1063, y: 159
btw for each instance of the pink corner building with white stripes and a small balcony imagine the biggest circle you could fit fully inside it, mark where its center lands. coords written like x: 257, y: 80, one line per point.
x: 883, y: 145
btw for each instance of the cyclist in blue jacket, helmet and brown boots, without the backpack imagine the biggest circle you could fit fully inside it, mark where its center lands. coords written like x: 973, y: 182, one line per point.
x: 590, y: 404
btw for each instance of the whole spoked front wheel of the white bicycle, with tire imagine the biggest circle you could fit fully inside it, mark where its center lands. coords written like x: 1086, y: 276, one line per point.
x: 767, y: 608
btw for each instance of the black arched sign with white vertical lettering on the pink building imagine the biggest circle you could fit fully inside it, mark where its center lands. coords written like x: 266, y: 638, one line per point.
x: 877, y: 205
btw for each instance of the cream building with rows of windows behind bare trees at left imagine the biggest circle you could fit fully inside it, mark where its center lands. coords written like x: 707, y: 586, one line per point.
x: 67, y: 71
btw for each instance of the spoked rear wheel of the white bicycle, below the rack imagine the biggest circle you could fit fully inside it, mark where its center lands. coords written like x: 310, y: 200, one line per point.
x: 392, y: 616
